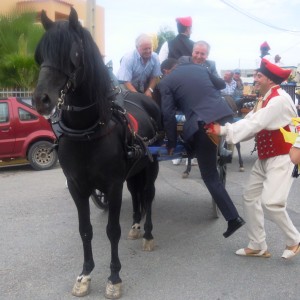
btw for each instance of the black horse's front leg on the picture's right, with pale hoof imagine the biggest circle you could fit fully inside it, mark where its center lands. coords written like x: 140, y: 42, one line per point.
x: 113, y: 231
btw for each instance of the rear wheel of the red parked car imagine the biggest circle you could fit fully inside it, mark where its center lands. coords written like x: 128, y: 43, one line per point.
x: 42, y: 156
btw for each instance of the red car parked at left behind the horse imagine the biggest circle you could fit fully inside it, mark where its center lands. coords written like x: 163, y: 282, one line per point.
x: 25, y: 134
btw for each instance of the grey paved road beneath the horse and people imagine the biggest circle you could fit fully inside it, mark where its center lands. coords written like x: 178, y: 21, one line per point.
x: 41, y: 252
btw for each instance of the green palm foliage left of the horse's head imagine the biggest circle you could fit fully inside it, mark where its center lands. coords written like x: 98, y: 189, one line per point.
x: 19, y: 36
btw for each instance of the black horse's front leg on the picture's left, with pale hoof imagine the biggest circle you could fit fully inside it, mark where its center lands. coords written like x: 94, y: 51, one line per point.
x: 82, y: 284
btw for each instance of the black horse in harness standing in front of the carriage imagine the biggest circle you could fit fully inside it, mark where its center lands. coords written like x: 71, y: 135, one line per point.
x: 100, y: 145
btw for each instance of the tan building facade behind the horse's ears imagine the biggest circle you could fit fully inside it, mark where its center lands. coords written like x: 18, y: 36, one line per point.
x: 90, y: 15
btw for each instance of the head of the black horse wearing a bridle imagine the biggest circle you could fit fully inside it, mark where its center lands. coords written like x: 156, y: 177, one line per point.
x: 60, y: 56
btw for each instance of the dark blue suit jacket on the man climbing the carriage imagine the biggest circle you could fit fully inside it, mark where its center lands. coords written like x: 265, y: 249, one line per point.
x: 188, y: 88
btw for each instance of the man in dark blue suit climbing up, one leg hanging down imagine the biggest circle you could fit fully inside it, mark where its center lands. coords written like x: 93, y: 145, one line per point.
x: 188, y: 88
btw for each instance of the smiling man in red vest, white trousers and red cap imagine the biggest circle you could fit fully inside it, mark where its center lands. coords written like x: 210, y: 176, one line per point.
x: 270, y: 178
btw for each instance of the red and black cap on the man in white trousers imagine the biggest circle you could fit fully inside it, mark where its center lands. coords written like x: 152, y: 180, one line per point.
x: 273, y: 72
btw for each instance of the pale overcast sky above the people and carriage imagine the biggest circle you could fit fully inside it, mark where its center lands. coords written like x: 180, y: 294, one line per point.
x: 234, y: 37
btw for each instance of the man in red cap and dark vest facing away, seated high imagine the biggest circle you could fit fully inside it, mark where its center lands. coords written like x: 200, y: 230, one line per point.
x: 181, y: 44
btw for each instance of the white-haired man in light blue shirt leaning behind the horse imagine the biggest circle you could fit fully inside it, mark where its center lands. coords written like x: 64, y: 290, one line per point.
x: 140, y: 68
